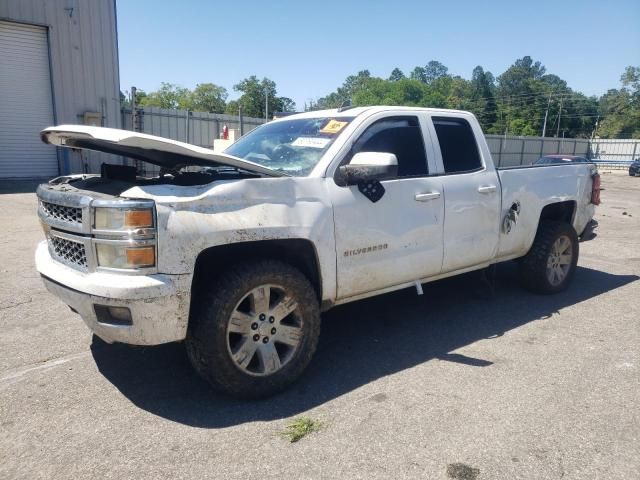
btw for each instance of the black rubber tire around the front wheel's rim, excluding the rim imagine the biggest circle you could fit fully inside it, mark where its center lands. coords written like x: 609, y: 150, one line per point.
x: 207, y: 339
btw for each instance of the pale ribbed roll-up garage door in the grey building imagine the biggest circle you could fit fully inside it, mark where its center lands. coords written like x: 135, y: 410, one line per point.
x: 26, y: 106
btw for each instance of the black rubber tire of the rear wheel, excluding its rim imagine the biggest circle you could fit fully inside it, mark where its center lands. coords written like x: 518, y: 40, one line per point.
x: 533, y: 267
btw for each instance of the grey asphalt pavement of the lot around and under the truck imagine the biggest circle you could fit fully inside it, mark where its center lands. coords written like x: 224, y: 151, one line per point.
x: 462, y: 382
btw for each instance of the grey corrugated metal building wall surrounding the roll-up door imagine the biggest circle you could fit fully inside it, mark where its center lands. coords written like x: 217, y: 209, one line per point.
x: 83, y: 53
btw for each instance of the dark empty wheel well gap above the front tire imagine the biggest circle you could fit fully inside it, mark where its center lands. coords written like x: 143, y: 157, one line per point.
x: 299, y: 253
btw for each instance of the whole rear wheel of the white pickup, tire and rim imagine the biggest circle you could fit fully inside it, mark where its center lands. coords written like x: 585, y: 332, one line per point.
x: 551, y: 262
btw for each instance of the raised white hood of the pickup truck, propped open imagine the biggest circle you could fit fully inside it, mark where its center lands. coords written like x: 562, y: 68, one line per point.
x: 148, y: 148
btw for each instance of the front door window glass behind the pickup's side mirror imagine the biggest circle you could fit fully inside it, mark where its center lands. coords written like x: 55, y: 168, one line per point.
x: 402, y: 137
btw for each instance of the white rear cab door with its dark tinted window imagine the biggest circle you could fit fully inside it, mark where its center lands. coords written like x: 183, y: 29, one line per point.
x: 471, y: 194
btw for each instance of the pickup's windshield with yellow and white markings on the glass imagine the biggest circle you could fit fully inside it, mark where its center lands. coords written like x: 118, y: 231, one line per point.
x: 290, y: 146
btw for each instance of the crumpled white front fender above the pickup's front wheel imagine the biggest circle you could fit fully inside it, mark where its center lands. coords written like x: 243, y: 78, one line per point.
x: 193, y: 219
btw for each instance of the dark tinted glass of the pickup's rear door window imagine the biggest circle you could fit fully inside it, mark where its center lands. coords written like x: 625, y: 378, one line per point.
x: 457, y: 144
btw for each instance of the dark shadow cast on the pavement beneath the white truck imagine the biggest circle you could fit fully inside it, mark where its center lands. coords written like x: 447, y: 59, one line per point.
x: 360, y: 342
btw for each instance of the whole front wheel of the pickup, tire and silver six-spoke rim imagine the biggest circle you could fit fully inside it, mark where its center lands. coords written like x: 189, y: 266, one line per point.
x: 256, y: 330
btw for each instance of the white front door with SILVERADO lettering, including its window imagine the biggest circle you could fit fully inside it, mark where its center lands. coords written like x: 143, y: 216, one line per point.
x: 397, y: 239
